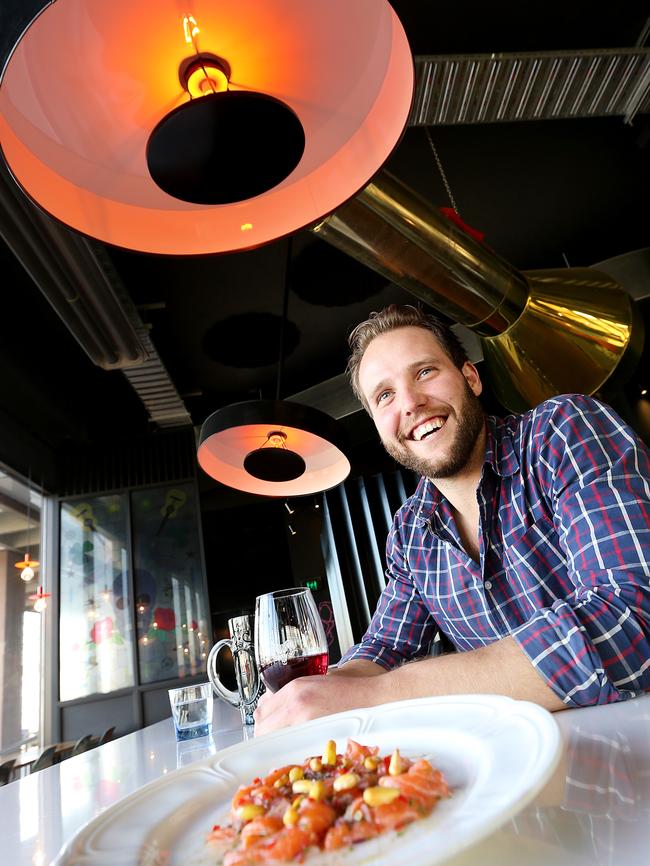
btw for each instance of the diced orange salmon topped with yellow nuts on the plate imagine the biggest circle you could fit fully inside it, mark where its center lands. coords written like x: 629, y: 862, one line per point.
x: 329, y: 801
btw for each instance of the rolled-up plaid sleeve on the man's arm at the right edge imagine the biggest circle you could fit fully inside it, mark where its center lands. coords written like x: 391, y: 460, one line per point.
x: 593, y: 646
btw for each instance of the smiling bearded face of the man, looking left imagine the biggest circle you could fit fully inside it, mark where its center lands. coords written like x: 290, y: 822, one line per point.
x: 425, y: 409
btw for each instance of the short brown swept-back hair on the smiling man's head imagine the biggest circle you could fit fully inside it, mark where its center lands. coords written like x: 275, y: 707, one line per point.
x: 390, y: 319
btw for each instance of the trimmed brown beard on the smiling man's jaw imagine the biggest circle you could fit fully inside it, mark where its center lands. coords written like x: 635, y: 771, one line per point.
x: 470, y: 421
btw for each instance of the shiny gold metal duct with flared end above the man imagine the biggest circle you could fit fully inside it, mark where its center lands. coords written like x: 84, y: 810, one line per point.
x: 543, y: 332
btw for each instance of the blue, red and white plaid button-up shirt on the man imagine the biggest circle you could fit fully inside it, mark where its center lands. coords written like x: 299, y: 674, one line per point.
x: 564, y: 501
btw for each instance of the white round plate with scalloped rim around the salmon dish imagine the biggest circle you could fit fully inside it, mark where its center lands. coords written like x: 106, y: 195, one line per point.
x: 495, y: 752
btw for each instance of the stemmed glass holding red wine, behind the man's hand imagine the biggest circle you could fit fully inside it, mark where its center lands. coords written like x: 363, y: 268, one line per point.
x: 290, y: 639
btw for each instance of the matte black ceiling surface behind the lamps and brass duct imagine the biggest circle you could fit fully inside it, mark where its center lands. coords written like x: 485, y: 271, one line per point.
x: 545, y: 193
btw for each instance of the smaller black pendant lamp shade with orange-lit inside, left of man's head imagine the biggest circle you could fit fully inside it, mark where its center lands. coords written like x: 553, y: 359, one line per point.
x: 261, y: 446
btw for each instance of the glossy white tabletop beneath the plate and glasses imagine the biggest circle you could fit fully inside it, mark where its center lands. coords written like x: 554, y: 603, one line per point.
x: 596, y: 809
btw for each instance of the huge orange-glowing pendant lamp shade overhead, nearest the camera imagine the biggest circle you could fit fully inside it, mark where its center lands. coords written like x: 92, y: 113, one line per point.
x: 89, y: 81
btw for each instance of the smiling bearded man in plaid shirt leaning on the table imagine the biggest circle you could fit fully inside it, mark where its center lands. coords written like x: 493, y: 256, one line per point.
x: 527, y: 541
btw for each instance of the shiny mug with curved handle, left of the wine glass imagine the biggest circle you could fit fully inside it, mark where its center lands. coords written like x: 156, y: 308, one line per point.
x: 249, y: 683
